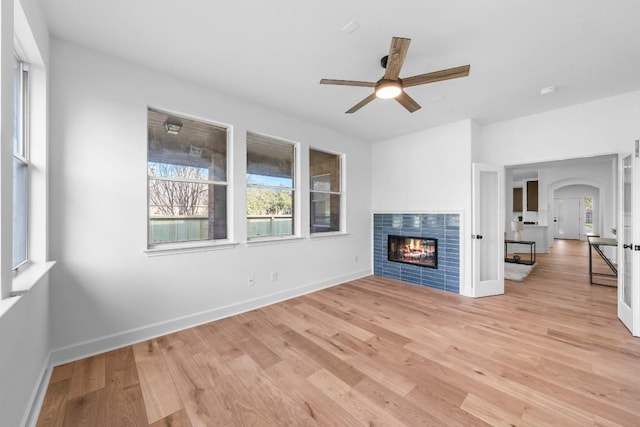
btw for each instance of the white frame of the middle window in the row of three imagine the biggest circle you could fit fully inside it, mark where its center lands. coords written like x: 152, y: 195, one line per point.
x: 294, y: 189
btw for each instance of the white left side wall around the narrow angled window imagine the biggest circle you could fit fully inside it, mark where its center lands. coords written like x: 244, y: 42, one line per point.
x: 24, y: 320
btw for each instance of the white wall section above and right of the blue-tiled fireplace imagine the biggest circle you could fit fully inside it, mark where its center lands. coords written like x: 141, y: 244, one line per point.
x: 428, y: 171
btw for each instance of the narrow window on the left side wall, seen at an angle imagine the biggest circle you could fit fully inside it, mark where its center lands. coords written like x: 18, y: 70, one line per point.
x: 20, y: 163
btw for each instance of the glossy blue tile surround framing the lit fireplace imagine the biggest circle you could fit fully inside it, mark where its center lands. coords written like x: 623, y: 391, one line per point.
x: 444, y: 227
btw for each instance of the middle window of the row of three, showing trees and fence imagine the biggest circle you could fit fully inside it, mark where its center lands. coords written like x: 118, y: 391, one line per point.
x: 270, y: 187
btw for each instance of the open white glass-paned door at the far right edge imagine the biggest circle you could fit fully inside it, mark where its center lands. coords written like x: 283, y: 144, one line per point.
x: 629, y: 243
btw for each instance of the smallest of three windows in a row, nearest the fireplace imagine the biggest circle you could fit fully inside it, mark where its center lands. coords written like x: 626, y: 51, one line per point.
x: 325, y: 170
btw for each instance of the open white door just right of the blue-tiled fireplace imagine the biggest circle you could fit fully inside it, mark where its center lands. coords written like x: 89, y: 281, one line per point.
x: 488, y: 230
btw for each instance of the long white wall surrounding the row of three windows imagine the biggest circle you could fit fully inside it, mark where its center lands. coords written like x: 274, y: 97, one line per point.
x: 106, y: 291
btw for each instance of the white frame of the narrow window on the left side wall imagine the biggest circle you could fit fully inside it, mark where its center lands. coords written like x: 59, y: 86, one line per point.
x: 21, y: 155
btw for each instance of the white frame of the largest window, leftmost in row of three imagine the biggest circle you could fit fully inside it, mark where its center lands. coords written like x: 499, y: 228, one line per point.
x: 164, y: 248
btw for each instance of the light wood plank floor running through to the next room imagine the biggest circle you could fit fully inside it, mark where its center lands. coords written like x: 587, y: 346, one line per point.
x: 378, y: 352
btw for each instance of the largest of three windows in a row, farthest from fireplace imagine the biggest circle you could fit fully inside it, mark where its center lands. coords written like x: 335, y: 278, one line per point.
x: 187, y: 180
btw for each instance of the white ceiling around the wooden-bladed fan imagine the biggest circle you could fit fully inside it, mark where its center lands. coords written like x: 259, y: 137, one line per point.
x: 274, y: 53
